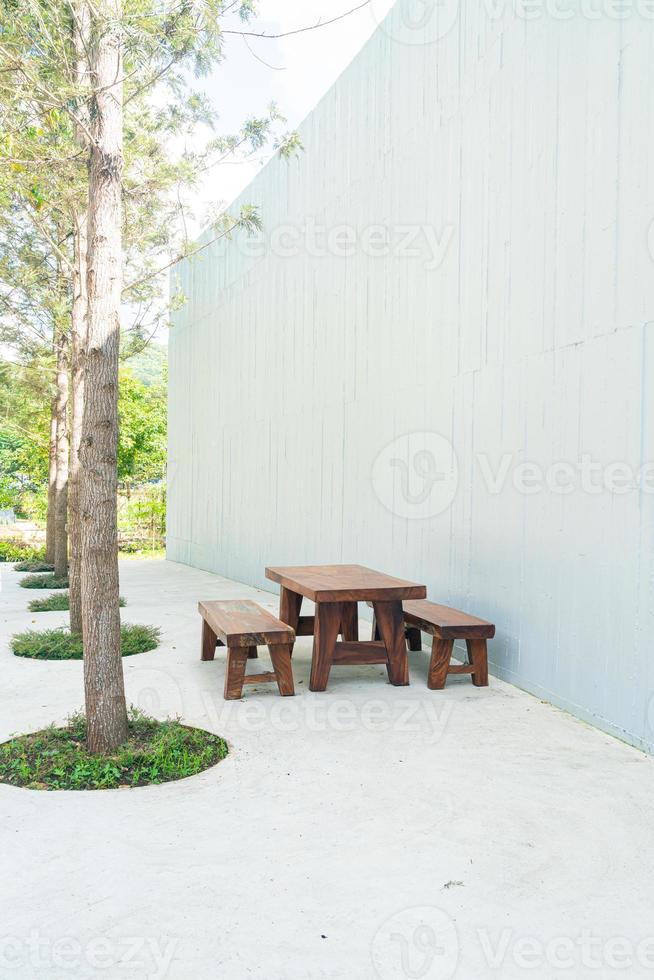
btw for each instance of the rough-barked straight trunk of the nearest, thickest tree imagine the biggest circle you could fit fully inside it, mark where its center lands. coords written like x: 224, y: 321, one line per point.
x: 106, y: 711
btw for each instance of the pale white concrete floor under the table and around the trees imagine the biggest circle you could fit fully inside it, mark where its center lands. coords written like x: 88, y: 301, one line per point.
x: 369, y: 832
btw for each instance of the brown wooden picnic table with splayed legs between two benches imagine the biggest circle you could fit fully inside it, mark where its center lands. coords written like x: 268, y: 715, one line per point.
x: 336, y: 590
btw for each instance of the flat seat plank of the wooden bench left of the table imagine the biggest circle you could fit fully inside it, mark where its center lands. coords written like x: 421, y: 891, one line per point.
x: 243, y: 623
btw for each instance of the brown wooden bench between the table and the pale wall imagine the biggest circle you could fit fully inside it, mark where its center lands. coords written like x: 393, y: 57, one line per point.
x: 445, y: 625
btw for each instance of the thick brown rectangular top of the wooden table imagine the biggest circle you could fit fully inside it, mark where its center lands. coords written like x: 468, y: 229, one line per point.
x: 344, y: 583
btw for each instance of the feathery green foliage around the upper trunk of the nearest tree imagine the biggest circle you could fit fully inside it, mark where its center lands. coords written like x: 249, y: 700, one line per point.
x: 168, y: 138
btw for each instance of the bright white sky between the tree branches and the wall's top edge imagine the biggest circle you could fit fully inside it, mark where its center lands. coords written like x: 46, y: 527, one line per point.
x: 304, y: 68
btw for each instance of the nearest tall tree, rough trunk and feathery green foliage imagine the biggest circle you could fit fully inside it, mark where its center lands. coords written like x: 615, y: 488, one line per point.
x: 68, y: 107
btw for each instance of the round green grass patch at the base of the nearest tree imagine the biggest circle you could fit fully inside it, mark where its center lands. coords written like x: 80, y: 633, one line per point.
x: 155, y: 752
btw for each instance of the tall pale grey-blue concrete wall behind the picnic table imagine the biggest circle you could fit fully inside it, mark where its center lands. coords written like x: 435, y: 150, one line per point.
x: 318, y: 376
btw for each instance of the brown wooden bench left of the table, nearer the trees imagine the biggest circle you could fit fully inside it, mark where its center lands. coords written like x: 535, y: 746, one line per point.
x: 242, y: 626
